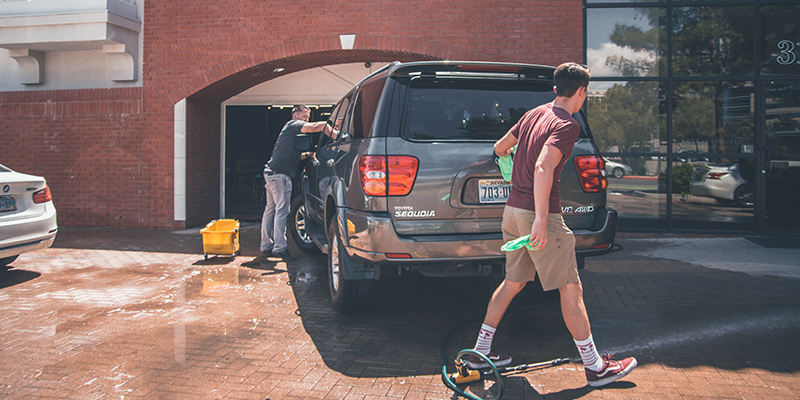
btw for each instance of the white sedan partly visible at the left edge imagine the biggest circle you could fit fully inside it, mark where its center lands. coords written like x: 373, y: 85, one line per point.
x: 27, y: 215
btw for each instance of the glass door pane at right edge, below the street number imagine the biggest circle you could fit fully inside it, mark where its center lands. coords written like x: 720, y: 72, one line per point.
x: 781, y: 154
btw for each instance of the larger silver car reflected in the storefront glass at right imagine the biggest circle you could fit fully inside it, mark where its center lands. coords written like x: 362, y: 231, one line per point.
x: 722, y: 182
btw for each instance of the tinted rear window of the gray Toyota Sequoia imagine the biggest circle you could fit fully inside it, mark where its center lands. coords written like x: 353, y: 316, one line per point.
x: 459, y: 109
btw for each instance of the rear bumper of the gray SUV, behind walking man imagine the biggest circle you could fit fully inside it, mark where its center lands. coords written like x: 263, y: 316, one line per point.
x: 371, y: 239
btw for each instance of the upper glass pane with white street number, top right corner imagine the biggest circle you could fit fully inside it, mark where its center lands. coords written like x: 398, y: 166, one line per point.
x: 780, y: 39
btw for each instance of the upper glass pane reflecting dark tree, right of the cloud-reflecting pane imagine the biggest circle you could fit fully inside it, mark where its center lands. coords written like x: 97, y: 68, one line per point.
x: 712, y: 41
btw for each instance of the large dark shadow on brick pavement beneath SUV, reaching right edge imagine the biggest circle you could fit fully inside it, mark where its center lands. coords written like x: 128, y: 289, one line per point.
x: 660, y: 311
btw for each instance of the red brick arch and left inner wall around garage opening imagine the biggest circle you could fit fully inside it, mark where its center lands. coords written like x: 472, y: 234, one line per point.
x: 205, y: 93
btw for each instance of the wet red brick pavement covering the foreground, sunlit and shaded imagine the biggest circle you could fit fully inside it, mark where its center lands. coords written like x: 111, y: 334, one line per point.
x: 139, y: 314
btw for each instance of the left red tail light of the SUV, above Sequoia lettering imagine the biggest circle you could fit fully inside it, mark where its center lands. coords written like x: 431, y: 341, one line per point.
x: 397, y: 173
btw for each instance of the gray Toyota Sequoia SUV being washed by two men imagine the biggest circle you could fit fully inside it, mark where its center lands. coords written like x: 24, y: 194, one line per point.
x: 412, y: 183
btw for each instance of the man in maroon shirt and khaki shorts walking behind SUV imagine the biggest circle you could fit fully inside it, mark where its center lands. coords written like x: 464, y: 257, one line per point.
x: 544, y: 138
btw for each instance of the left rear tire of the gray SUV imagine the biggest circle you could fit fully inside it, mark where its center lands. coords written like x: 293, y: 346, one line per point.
x: 347, y: 296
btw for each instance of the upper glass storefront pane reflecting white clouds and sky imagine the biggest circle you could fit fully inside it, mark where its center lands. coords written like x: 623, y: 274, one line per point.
x: 626, y: 41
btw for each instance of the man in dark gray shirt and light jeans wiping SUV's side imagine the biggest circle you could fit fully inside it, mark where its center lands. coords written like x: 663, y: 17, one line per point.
x: 278, y: 174
